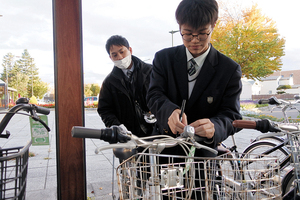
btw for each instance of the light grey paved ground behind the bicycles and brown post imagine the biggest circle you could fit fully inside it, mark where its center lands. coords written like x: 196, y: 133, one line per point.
x: 41, y: 182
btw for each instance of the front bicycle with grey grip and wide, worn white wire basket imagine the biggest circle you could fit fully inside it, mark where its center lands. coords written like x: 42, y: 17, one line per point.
x: 143, y: 176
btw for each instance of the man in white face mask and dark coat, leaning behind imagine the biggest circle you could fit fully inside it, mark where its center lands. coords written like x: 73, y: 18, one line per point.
x: 122, y: 98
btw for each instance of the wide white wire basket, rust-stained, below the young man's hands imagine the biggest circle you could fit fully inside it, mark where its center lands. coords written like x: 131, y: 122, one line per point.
x: 183, y: 177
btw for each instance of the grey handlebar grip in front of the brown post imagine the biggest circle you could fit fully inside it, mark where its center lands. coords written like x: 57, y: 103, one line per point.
x: 82, y: 132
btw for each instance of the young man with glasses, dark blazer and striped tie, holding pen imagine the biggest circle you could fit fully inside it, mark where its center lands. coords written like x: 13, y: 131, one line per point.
x: 197, y: 73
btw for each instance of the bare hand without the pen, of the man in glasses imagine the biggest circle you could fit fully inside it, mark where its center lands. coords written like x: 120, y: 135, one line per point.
x: 204, y: 128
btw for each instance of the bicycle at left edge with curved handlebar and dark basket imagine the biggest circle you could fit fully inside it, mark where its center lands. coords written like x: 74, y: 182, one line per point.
x: 14, y: 161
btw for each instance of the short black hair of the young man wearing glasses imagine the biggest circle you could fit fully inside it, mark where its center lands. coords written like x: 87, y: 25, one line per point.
x: 197, y: 13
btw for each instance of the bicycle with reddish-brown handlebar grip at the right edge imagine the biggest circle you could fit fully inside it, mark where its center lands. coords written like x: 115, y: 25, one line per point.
x: 292, y: 131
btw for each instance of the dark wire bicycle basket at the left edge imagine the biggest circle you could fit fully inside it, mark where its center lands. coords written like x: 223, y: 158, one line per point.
x: 14, y: 167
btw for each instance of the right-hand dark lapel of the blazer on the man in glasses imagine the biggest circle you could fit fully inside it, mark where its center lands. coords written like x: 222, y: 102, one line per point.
x: 205, y: 76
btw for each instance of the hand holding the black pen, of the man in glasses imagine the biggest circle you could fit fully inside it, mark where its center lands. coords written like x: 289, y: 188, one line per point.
x: 174, y: 123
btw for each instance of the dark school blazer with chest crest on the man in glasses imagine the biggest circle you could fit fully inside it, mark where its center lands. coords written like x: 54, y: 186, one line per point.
x: 215, y: 95
